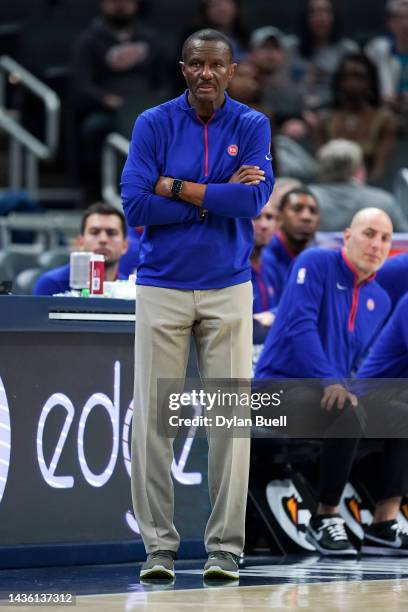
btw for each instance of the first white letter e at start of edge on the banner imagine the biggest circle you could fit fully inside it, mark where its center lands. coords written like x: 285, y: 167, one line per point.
x: 48, y: 472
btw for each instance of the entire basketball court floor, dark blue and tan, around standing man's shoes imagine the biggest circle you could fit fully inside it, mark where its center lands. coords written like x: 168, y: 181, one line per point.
x: 305, y: 583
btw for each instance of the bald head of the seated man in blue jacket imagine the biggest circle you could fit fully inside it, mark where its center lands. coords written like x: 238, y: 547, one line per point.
x: 368, y: 241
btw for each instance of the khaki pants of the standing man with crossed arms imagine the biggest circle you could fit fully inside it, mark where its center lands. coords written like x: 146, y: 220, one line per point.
x: 221, y: 321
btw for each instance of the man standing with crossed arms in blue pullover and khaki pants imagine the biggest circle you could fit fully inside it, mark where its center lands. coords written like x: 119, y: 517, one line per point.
x: 198, y: 171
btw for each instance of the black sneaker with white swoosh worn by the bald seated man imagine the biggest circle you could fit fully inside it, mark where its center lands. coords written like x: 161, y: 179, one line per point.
x: 328, y: 535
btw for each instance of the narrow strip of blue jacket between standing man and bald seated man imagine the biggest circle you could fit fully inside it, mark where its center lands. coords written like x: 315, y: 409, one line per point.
x: 277, y: 263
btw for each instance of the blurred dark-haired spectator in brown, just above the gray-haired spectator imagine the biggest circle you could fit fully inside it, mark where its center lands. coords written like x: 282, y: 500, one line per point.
x: 357, y: 114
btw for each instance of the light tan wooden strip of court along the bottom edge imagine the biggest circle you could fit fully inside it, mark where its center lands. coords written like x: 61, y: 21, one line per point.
x: 381, y: 595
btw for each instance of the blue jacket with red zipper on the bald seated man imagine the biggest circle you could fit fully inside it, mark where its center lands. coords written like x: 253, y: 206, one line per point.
x: 325, y: 321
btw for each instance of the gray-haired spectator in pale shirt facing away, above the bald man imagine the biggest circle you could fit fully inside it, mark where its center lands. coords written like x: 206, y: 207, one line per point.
x: 342, y: 191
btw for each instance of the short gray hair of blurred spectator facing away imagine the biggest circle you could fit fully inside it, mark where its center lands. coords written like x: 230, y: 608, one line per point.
x: 338, y: 160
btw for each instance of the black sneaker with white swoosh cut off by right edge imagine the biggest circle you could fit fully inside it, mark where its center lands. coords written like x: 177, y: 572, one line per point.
x: 386, y: 538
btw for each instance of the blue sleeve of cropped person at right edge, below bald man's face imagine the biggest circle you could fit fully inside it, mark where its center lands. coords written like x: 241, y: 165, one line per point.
x: 389, y: 356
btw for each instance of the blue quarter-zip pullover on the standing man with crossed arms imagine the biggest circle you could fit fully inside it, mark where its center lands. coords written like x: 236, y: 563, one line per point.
x: 178, y: 250
